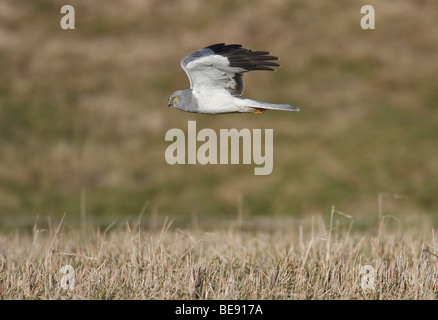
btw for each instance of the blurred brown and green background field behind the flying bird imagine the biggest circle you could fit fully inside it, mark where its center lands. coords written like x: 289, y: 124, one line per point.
x: 86, y: 109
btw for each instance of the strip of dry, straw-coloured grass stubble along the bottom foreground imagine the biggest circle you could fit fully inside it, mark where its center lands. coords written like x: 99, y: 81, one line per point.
x: 240, y: 259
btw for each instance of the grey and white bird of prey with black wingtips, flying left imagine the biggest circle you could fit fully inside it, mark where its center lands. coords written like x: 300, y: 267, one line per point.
x: 216, y: 80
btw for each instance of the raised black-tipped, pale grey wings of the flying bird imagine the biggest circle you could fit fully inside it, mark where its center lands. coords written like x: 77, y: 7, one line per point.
x: 223, y: 66
